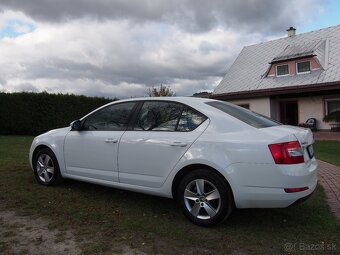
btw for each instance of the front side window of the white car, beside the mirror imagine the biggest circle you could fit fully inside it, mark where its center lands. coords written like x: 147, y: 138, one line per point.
x: 111, y: 118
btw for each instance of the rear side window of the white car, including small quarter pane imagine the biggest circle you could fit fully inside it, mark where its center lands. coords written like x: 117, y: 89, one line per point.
x: 167, y: 116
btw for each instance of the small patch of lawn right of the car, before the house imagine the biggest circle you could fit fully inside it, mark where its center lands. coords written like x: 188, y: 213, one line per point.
x: 328, y: 151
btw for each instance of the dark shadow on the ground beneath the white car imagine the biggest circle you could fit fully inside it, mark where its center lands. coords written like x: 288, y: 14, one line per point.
x: 269, y: 219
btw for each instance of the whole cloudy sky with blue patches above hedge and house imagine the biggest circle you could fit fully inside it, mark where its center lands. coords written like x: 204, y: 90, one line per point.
x: 120, y: 48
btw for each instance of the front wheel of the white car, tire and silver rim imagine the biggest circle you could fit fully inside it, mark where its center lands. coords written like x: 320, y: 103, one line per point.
x: 46, y: 168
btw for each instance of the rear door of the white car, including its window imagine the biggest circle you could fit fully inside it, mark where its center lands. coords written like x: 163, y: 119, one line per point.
x: 162, y: 133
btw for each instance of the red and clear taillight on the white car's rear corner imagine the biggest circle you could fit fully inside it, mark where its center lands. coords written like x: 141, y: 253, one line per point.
x: 287, y: 153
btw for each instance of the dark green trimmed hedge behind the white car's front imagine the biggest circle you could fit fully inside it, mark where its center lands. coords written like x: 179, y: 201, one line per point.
x: 35, y: 113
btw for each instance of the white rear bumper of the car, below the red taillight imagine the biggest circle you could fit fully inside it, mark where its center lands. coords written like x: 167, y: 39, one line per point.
x: 264, y: 187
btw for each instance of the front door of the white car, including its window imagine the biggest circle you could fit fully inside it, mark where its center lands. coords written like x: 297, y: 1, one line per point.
x: 92, y: 151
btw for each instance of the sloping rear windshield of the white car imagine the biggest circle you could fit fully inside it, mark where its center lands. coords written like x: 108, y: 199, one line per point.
x: 251, y: 118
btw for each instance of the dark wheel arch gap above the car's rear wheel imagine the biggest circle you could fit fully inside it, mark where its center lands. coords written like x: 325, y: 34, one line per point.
x: 190, y: 168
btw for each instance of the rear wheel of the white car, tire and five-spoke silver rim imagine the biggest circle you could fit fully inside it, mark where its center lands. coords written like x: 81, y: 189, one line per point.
x: 205, y: 197
